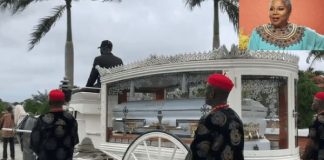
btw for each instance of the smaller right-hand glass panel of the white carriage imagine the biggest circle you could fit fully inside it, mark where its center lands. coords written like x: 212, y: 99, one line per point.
x: 264, y: 112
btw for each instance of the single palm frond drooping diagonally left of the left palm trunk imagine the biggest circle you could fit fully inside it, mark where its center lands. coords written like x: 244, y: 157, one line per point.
x: 45, y: 25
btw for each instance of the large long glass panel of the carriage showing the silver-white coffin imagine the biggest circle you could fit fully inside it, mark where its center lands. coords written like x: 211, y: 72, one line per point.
x: 172, y: 102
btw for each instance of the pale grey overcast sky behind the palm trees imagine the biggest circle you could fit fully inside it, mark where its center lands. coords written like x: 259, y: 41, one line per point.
x: 136, y: 28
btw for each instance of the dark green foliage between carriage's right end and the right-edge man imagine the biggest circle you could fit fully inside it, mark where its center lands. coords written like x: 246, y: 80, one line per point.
x: 306, y: 90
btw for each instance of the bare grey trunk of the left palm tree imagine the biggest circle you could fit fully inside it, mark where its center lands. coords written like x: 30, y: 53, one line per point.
x: 69, y: 55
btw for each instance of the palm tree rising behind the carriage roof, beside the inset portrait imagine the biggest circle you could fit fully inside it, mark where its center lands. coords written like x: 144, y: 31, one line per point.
x: 229, y: 6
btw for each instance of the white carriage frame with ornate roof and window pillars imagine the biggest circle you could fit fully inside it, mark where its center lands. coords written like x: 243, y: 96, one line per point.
x: 234, y: 63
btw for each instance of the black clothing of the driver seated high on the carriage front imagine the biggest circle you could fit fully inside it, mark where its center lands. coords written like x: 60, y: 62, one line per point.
x: 106, y: 60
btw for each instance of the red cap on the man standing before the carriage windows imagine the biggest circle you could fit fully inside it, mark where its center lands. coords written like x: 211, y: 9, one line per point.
x: 220, y: 81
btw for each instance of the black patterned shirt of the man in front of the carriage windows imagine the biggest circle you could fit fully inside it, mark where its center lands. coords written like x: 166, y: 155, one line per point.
x: 219, y: 136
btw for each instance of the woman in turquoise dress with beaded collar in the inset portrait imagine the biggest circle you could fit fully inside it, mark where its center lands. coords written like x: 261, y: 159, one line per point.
x: 280, y: 34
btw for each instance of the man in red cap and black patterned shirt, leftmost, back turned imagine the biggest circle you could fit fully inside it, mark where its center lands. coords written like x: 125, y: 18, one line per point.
x: 55, y: 133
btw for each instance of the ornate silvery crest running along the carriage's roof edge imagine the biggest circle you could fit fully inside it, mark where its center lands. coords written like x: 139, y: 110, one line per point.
x: 221, y: 53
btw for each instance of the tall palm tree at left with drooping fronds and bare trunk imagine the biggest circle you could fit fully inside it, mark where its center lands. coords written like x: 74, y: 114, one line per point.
x: 45, y: 25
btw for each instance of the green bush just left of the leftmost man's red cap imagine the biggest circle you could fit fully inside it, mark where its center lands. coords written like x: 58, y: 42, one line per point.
x: 38, y: 104
